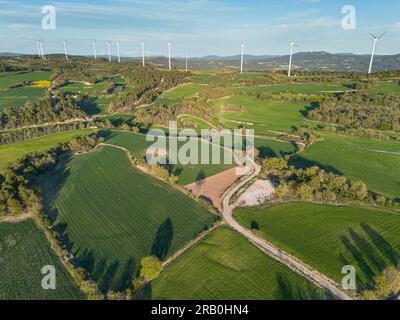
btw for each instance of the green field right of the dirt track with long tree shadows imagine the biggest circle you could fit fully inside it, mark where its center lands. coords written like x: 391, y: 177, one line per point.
x: 329, y: 237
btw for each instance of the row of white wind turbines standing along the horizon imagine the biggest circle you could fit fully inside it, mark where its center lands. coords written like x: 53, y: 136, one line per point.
x: 40, y: 47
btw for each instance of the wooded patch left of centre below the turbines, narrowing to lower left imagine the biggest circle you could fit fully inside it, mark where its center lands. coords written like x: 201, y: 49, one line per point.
x: 146, y: 85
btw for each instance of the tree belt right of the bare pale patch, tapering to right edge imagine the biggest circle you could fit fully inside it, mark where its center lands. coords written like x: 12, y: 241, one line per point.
x: 315, y: 184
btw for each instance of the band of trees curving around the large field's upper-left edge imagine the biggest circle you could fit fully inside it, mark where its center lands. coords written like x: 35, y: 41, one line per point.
x: 18, y: 194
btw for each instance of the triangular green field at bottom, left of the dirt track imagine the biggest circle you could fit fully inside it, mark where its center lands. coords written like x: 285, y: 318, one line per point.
x: 226, y: 266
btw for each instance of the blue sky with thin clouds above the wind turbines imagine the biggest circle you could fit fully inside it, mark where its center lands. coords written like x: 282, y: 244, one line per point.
x: 205, y: 27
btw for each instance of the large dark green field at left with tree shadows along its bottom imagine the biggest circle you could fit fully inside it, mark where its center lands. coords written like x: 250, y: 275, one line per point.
x: 111, y: 215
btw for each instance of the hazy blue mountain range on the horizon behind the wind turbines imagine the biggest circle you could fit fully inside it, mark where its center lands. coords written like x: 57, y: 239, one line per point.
x: 316, y: 61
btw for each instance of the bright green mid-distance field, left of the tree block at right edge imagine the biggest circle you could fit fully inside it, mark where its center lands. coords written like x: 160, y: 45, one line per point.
x: 264, y: 115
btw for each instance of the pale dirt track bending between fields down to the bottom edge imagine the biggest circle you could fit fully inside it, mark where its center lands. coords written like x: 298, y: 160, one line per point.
x: 273, y: 251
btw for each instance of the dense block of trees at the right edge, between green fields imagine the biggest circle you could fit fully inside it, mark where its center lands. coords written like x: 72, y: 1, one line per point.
x: 372, y: 111
